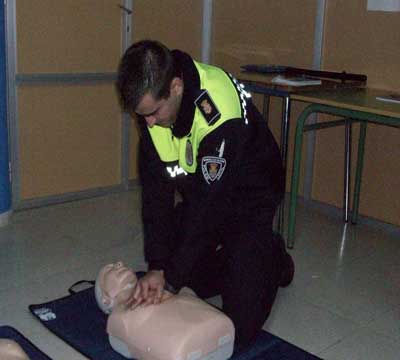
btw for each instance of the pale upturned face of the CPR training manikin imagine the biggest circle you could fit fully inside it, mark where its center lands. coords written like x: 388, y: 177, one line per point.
x: 117, y: 283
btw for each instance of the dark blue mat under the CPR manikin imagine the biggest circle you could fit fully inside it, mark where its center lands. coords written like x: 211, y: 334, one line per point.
x: 77, y: 320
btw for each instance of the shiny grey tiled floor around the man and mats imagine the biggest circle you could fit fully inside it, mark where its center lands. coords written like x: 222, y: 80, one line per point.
x: 344, y: 302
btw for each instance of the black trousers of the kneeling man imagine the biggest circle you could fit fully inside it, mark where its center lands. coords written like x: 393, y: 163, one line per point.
x: 245, y: 271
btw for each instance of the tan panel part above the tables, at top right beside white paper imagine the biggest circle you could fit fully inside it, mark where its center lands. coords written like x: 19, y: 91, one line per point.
x: 363, y: 41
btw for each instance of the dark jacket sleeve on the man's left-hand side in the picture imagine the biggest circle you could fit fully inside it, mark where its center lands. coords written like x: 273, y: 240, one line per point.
x: 157, y: 203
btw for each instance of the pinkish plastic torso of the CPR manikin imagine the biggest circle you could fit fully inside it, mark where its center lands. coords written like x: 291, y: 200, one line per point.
x: 182, y: 327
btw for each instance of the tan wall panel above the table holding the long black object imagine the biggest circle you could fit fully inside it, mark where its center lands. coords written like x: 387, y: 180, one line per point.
x: 259, y: 31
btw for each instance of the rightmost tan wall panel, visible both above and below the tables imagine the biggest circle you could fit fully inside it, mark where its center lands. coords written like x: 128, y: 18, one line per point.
x: 364, y: 42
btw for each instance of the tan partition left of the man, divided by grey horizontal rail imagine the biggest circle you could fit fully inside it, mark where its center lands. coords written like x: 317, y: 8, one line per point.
x: 68, y: 135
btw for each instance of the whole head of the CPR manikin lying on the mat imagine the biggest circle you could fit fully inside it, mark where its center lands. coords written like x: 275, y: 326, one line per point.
x: 115, y: 284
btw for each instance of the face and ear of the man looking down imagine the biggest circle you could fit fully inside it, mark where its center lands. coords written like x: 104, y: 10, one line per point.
x: 162, y: 112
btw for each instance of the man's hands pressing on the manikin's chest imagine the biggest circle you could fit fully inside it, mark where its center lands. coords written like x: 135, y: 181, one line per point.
x: 150, y: 288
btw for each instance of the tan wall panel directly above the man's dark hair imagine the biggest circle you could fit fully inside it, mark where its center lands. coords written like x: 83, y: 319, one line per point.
x: 176, y: 23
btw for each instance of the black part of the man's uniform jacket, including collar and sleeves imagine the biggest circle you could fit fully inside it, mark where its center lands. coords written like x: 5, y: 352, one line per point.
x: 251, y: 184
